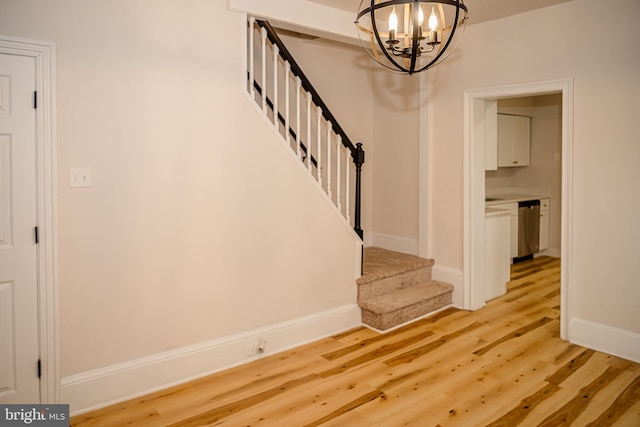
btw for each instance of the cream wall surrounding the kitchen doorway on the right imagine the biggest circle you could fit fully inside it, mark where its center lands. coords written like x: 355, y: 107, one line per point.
x: 547, y: 44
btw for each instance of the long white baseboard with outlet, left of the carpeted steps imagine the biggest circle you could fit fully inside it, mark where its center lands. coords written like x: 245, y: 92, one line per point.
x: 113, y: 384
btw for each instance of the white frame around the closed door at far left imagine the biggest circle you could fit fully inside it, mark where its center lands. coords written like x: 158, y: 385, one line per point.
x: 46, y: 193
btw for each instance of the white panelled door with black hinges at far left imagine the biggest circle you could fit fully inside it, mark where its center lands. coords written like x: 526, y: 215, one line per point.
x: 19, y: 349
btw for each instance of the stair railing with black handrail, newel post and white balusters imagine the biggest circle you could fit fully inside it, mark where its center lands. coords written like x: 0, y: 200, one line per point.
x: 278, y: 85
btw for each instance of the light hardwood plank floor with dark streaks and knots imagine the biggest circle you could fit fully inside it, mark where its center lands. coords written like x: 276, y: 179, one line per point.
x: 503, y: 365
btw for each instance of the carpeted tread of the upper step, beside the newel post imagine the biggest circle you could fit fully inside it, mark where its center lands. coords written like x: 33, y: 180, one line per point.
x: 381, y: 263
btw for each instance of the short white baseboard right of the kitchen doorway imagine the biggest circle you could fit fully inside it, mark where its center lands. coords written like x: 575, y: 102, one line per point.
x: 607, y: 339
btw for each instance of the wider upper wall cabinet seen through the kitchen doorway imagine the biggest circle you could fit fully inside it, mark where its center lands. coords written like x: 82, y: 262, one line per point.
x: 514, y: 140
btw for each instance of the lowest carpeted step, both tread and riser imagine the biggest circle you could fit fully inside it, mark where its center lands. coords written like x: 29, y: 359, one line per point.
x: 402, y: 305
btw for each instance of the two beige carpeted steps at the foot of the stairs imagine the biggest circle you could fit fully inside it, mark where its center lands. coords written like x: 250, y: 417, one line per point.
x: 396, y: 288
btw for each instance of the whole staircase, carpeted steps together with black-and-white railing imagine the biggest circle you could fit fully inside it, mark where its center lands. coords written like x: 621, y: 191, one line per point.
x: 394, y: 288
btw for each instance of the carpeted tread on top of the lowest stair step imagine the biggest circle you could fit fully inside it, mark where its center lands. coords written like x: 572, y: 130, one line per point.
x: 405, y: 297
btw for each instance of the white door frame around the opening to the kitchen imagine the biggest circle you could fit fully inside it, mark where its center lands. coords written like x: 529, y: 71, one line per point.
x: 474, y: 189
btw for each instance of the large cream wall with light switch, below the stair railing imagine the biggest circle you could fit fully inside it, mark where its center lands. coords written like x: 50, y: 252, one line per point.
x: 198, y: 226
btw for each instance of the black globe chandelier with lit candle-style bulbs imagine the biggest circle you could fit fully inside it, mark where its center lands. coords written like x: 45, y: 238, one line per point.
x: 394, y: 34
